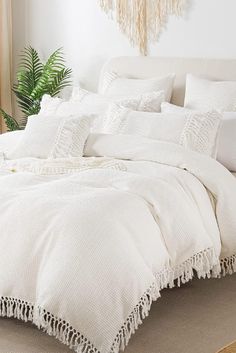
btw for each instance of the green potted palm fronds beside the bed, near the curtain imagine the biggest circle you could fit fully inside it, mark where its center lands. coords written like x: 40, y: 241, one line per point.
x: 34, y: 79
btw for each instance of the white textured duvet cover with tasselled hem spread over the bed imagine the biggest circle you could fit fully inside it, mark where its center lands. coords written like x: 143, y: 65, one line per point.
x: 87, y: 244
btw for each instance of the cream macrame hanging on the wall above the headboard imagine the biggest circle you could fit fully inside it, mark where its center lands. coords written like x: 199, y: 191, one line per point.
x: 142, y: 20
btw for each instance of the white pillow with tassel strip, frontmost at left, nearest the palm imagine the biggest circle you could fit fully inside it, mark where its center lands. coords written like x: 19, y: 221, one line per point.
x: 52, y: 137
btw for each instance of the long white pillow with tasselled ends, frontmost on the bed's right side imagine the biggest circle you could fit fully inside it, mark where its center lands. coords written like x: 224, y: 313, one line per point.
x: 197, y: 131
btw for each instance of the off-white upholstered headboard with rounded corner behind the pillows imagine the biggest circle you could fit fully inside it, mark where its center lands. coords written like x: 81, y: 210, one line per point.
x: 144, y: 67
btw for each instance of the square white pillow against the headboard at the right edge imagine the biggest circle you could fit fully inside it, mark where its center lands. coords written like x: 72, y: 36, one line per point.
x: 202, y: 94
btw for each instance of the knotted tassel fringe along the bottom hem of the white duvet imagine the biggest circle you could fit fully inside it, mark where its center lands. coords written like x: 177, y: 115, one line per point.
x: 205, y: 264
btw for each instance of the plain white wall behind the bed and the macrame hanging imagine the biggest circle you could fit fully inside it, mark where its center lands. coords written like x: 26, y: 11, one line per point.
x: 89, y: 38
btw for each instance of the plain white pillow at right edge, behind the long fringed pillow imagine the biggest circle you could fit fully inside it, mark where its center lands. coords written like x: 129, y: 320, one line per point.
x: 226, y: 147
